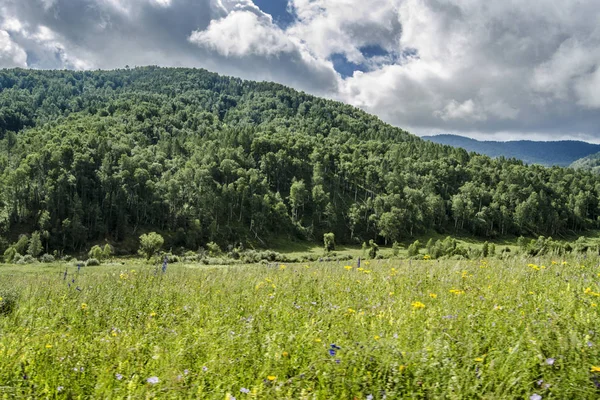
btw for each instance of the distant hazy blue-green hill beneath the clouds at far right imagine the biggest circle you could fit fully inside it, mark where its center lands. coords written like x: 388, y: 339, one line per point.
x: 561, y: 153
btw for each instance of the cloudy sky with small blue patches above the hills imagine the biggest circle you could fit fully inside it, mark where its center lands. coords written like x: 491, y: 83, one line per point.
x: 496, y: 70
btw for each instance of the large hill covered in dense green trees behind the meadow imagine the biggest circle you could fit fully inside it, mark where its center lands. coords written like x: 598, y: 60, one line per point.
x: 89, y: 156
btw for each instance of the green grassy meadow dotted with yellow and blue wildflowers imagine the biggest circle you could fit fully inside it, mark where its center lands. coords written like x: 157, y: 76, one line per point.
x: 518, y: 328
